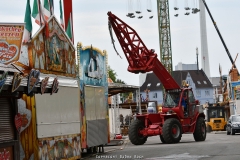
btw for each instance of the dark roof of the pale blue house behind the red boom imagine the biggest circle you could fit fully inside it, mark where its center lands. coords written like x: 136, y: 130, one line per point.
x: 198, y: 76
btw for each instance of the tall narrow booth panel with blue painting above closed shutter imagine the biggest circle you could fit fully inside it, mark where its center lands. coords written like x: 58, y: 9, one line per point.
x: 94, y: 96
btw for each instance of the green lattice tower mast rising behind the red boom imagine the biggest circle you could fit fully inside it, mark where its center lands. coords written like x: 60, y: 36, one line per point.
x: 164, y: 34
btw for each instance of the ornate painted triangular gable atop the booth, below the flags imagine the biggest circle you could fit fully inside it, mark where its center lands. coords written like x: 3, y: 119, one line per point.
x: 54, y: 54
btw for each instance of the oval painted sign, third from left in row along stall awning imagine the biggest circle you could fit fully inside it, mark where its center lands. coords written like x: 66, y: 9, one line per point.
x: 33, y: 79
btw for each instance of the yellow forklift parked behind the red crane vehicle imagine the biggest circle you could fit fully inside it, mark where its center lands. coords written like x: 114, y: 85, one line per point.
x: 216, y: 120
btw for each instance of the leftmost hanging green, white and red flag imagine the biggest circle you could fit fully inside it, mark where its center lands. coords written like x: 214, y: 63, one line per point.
x: 28, y: 23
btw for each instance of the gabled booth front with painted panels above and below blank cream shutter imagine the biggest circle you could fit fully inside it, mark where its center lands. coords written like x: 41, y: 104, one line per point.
x: 58, y: 115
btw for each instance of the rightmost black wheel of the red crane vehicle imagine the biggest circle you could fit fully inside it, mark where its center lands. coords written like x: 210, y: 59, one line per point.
x: 200, y: 130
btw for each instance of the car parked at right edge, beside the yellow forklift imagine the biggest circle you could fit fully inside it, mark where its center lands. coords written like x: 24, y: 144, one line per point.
x: 233, y: 125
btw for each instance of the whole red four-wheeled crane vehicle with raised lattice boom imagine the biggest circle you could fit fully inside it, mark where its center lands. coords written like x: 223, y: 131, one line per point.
x: 173, y: 121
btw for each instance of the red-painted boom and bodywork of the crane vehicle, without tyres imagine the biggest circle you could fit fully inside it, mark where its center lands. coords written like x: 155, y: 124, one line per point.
x: 143, y: 60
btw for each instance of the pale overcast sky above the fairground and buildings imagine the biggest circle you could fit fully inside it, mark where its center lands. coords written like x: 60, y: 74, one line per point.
x: 90, y: 22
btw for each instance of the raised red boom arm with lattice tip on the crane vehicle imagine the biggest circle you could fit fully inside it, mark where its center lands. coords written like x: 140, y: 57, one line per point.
x: 140, y: 59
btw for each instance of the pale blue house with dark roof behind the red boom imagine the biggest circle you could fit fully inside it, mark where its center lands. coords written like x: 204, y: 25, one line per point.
x: 197, y: 80
